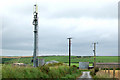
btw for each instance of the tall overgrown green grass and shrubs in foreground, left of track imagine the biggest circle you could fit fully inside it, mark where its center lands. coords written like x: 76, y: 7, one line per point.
x: 63, y: 71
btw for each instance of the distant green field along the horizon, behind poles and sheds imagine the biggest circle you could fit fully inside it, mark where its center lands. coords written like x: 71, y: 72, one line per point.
x: 74, y: 59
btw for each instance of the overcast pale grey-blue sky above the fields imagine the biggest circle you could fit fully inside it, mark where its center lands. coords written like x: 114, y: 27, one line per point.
x: 86, y: 21
